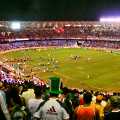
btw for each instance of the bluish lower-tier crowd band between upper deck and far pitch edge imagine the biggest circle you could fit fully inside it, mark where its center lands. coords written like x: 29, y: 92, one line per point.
x: 108, y: 44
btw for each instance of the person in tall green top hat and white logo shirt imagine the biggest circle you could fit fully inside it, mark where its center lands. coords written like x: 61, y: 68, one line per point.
x: 52, y: 109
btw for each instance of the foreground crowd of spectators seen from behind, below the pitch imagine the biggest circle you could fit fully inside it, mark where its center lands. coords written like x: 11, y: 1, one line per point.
x: 29, y: 101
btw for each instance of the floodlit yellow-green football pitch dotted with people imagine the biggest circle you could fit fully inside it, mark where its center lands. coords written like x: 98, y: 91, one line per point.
x: 77, y: 67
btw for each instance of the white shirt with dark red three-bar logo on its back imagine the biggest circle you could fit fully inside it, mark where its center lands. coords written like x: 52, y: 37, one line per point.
x: 52, y: 110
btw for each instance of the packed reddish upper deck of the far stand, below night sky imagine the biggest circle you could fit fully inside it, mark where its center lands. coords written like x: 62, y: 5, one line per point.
x: 60, y: 29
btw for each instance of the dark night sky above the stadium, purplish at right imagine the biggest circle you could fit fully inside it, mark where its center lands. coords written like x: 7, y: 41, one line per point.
x: 57, y: 9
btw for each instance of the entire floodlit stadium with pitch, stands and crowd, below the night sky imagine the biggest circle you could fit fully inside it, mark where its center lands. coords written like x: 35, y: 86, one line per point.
x: 60, y: 70
